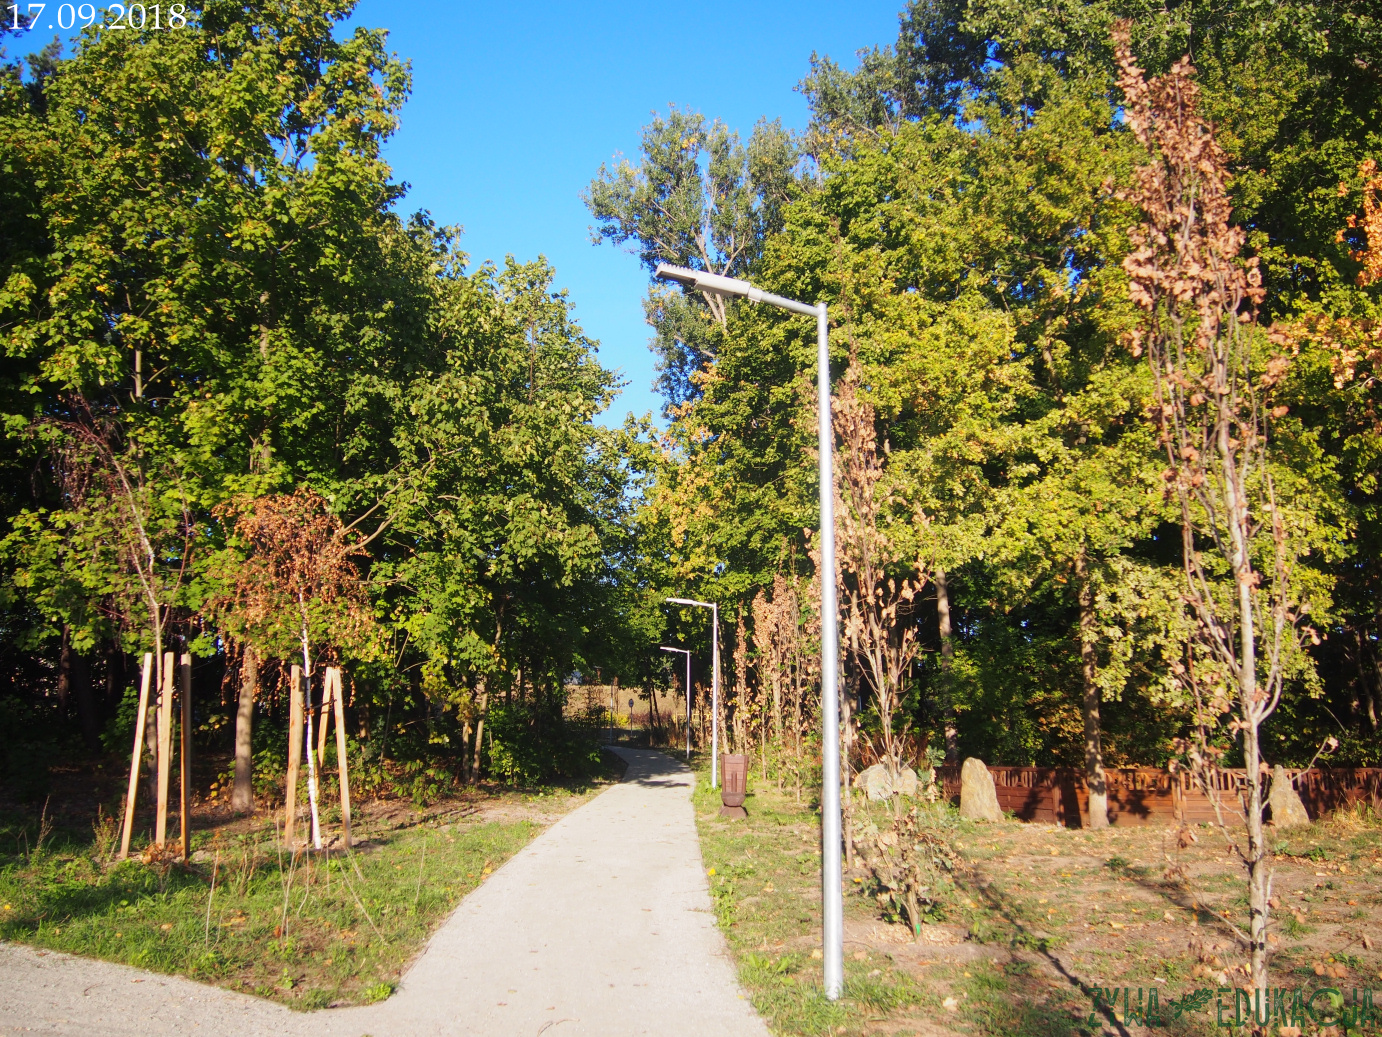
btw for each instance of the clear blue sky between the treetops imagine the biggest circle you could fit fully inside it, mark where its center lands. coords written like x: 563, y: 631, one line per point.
x: 516, y: 106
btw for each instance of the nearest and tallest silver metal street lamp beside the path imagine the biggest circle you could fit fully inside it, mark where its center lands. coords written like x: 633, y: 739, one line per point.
x: 834, y: 905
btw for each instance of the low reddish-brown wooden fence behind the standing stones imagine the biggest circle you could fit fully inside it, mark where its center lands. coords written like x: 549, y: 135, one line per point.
x: 1148, y: 796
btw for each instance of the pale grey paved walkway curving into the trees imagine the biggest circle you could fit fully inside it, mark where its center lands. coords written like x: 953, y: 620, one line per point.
x: 602, y: 926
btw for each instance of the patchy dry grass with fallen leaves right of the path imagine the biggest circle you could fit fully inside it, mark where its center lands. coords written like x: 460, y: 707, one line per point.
x: 1048, y: 917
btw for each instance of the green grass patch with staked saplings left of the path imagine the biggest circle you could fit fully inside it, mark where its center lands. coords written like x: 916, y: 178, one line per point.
x: 309, y: 931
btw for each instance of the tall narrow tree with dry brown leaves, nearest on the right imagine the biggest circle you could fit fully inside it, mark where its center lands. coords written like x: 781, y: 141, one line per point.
x: 1199, y: 298
